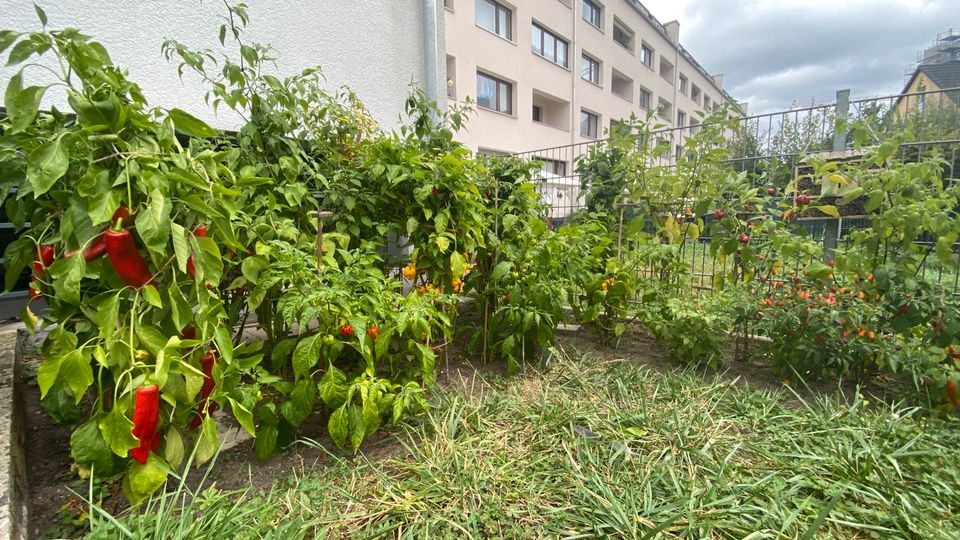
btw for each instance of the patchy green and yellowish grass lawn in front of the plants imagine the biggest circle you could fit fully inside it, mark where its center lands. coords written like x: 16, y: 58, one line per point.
x: 593, y: 448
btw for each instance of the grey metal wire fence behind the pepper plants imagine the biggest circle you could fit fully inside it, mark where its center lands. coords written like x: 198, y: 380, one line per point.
x: 759, y: 143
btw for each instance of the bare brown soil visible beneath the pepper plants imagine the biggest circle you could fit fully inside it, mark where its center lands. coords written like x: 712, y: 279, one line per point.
x: 56, y: 510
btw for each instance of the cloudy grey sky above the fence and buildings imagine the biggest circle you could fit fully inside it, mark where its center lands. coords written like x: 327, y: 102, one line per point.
x: 776, y: 52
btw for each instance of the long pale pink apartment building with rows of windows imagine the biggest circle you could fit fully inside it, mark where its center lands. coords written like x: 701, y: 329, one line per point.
x: 546, y: 73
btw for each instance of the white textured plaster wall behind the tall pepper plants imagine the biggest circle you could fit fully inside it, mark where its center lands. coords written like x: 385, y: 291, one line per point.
x: 375, y: 47
